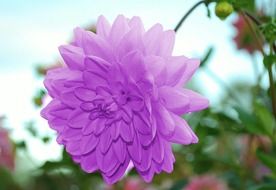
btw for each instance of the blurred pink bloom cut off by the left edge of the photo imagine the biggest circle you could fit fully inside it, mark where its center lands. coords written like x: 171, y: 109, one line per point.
x: 6, y: 150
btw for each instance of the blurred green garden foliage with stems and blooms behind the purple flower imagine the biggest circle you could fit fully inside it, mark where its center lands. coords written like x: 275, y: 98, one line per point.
x: 237, y: 147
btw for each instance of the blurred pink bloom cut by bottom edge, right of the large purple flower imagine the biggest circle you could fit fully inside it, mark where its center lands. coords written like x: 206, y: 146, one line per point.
x: 206, y: 182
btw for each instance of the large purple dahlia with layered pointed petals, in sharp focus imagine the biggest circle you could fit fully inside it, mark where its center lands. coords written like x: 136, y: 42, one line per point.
x: 120, y: 97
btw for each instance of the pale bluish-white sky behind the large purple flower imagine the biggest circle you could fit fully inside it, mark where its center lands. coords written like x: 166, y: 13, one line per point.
x: 31, y: 31
